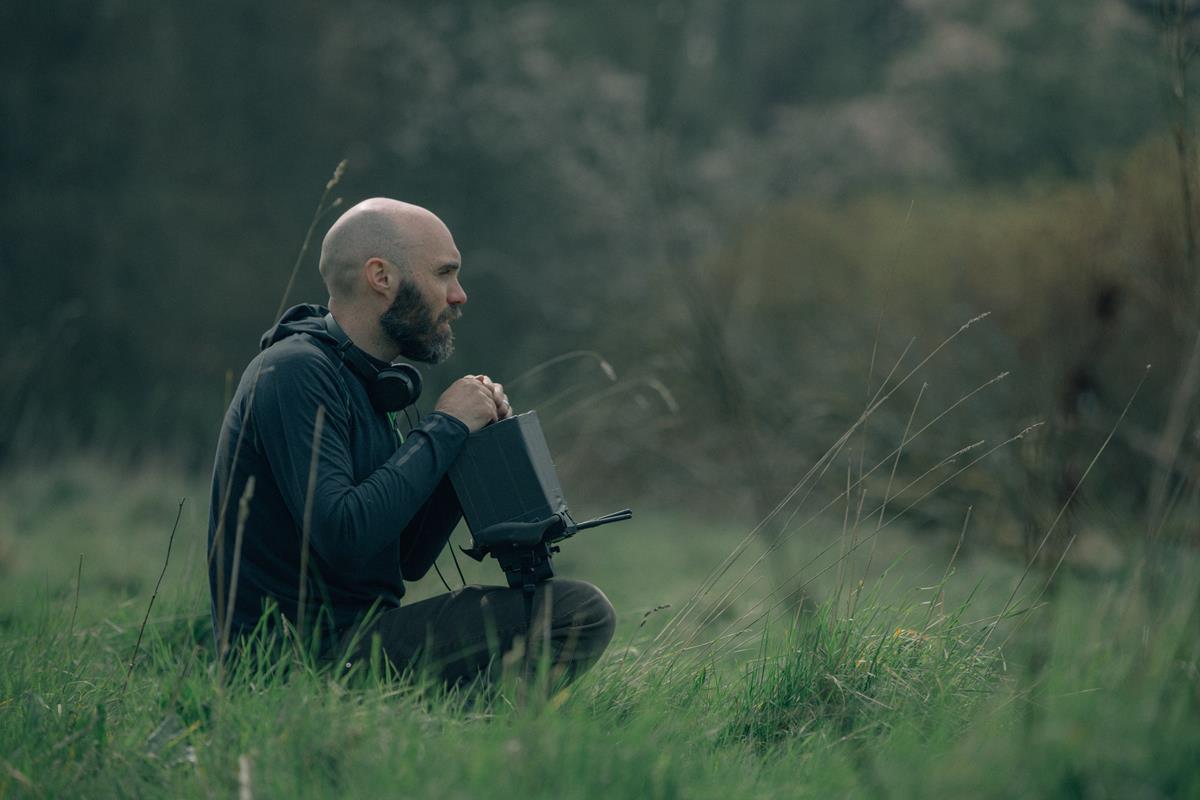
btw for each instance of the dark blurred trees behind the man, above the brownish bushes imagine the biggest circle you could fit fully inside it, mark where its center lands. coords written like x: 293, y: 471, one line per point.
x: 171, y: 157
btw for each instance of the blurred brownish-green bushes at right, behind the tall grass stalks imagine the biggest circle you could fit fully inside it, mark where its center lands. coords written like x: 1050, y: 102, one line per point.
x: 814, y: 305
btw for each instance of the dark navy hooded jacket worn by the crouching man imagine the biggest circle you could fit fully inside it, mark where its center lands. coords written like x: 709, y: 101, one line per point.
x: 377, y: 512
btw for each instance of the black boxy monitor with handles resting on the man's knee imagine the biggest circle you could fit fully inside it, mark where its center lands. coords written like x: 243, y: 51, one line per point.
x: 513, y: 502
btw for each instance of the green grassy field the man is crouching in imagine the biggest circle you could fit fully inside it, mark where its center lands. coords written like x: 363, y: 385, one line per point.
x: 909, y: 672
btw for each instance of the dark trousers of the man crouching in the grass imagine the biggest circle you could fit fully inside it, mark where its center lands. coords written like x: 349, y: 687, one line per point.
x: 472, y: 633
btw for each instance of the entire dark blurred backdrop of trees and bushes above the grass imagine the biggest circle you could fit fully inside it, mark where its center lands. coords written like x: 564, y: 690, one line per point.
x: 747, y: 209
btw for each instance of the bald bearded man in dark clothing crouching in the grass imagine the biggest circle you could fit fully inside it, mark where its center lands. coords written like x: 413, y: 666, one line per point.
x: 321, y: 510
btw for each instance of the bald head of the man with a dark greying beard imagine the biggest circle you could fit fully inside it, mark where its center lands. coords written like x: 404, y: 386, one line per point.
x: 392, y: 270
